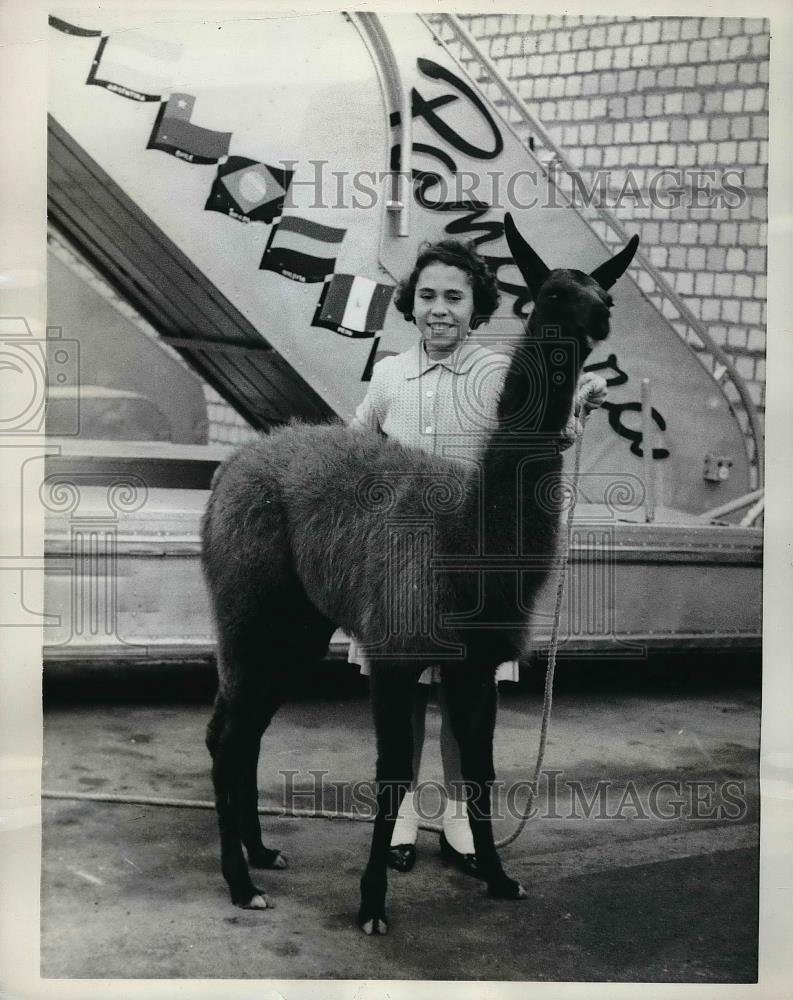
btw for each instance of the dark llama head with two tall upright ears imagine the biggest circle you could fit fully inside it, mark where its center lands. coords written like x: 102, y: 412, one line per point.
x: 565, y: 299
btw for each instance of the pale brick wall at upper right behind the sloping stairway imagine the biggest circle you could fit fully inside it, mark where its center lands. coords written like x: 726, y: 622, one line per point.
x: 638, y: 94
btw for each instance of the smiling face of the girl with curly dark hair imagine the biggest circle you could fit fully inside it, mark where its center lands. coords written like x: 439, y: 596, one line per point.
x: 443, y: 305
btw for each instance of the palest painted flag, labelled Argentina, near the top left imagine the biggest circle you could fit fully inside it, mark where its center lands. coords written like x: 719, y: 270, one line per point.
x: 134, y: 66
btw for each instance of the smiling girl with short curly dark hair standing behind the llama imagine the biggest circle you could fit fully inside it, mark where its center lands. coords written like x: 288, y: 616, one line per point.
x: 441, y: 396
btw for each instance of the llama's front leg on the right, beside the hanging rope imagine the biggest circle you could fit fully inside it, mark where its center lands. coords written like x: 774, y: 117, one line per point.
x: 472, y: 697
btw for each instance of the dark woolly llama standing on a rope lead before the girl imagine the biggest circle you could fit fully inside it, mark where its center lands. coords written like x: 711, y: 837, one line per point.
x: 295, y: 545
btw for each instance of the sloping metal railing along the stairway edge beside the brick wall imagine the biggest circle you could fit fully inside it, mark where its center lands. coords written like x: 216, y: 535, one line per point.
x: 448, y: 29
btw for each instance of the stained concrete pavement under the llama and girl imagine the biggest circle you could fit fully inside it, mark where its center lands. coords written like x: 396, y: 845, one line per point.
x: 641, y: 865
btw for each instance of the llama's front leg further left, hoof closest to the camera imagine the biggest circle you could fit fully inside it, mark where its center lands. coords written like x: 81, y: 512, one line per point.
x: 393, y: 688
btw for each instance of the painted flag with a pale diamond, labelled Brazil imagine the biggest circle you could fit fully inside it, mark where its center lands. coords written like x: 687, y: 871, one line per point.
x: 249, y: 191
